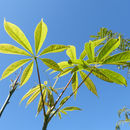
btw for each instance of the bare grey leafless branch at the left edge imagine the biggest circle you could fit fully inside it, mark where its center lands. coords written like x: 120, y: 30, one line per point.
x: 13, y: 88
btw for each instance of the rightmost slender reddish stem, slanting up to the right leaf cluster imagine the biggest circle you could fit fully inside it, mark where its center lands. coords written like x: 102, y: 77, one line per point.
x: 70, y: 95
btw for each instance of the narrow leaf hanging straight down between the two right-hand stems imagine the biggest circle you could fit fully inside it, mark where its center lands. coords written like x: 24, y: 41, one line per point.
x: 75, y: 82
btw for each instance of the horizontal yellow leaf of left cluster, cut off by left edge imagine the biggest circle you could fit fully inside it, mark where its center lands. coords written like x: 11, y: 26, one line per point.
x: 10, y: 49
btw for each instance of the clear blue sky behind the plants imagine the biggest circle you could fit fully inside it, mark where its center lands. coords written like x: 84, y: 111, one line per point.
x: 69, y: 22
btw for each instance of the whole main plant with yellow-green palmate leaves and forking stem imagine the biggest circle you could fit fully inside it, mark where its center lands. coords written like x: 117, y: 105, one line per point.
x: 90, y: 61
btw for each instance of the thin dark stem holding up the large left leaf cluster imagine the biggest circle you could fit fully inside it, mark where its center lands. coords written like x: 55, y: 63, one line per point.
x: 38, y: 74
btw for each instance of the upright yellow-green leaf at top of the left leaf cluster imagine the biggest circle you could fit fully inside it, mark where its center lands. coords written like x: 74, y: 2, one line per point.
x: 40, y: 35
